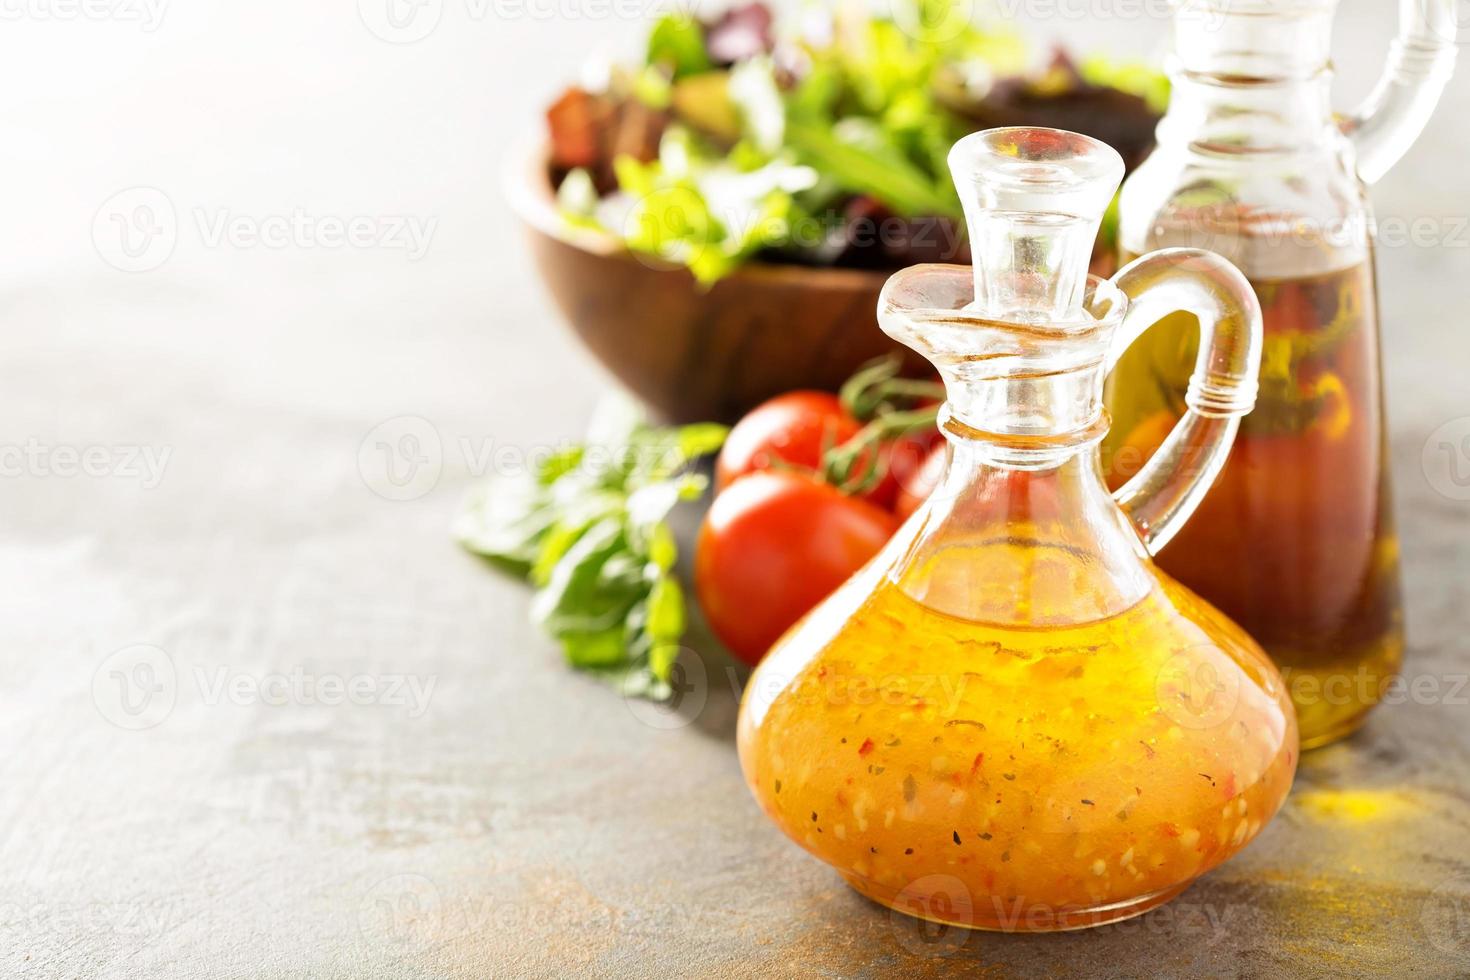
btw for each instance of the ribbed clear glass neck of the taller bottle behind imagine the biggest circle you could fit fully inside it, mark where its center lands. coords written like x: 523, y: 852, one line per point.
x: 1252, y: 82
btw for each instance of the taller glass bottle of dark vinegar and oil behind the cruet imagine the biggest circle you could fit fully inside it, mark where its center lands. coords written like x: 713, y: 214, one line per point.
x: 1296, y: 543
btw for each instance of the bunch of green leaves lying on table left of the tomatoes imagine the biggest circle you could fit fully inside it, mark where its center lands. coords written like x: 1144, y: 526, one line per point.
x: 587, y: 528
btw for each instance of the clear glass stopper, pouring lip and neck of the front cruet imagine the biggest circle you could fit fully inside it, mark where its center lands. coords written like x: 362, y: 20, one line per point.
x: 1022, y: 345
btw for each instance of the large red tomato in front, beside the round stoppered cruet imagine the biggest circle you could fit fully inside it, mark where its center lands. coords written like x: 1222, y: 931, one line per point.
x: 772, y: 547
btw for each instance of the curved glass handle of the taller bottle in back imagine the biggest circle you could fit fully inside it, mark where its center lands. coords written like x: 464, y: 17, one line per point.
x: 1421, y: 62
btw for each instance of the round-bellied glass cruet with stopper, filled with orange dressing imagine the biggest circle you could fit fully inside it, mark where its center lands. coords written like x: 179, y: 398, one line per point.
x: 1011, y: 719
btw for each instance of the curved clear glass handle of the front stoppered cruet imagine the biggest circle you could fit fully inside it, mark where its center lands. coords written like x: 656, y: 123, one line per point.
x: 1162, y: 496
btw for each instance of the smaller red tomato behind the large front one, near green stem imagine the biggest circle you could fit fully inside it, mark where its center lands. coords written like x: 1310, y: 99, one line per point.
x: 795, y: 428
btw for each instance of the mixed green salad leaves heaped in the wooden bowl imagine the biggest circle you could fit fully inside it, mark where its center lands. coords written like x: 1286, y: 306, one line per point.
x: 808, y: 133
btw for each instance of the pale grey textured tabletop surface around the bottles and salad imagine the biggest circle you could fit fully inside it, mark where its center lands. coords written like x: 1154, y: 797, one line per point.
x: 261, y: 721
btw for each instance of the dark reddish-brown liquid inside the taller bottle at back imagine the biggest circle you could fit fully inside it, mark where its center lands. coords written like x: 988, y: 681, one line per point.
x: 1296, y: 541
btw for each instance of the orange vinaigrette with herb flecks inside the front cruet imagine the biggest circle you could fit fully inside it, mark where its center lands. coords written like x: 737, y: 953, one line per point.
x: 1019, y: 778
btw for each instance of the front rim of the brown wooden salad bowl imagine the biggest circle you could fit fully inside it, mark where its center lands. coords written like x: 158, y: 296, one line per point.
x: 528, y: 190
